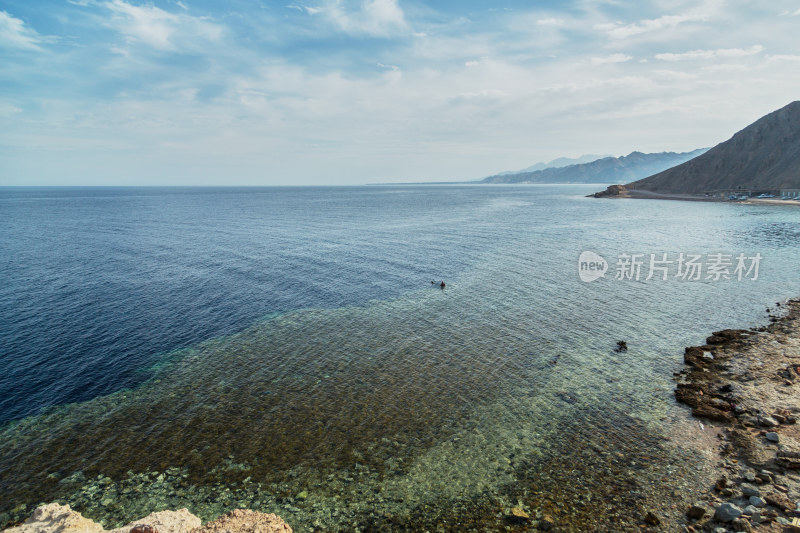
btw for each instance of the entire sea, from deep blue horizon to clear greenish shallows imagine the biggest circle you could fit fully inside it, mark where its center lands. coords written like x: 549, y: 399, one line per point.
x: 292, y: 350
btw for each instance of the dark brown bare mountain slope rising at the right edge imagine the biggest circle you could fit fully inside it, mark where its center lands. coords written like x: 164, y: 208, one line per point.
x: 763, y: 156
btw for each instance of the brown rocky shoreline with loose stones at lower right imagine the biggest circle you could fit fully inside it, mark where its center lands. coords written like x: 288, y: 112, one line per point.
x: 744, y: 385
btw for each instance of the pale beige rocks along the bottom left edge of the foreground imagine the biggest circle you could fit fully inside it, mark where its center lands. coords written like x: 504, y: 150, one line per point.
x: 55, y: 518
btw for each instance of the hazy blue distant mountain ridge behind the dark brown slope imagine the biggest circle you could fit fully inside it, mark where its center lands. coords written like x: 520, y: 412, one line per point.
x: 606, y: 170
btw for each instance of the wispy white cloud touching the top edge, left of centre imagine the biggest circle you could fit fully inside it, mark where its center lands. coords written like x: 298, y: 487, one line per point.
x: 160, y: 29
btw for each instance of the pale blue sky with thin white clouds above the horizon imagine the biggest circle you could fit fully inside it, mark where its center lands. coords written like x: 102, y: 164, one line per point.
x: 341, y: 92
